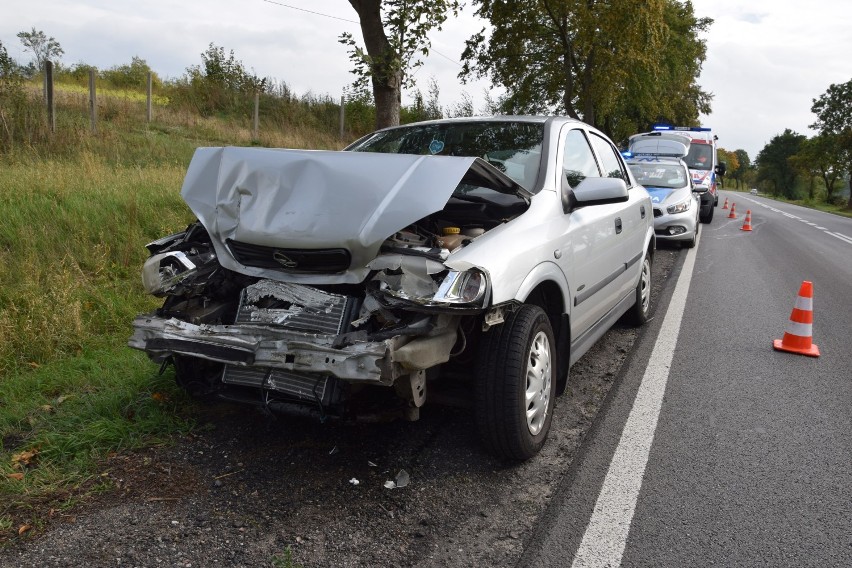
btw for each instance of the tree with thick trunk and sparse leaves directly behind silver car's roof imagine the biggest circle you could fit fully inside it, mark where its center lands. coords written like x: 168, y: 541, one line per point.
x: 395, y: 33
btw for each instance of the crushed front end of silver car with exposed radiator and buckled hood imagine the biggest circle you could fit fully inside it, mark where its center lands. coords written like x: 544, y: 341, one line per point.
x: 257, y: 311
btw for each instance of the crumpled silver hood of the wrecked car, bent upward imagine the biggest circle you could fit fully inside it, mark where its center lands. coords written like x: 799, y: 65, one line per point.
x: 311, y: 199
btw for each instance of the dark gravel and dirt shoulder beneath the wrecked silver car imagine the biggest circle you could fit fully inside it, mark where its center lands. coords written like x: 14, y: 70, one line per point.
x: 245, y: 487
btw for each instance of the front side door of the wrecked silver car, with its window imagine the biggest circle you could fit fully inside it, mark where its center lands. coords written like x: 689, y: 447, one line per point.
x: 593, y: 264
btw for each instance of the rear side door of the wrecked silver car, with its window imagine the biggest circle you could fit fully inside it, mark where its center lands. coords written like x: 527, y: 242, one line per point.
x: 631, y: 217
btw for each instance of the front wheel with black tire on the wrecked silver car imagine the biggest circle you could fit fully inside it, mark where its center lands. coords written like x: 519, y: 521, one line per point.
x: 516, y: 358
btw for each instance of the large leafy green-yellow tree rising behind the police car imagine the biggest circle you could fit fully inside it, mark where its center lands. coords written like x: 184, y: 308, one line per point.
x: 620, y: 65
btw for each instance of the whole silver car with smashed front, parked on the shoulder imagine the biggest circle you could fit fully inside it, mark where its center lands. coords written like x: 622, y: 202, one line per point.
x: 479, y: 255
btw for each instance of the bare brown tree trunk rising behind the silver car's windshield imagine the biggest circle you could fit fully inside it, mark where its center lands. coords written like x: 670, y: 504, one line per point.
x: 385, y: 77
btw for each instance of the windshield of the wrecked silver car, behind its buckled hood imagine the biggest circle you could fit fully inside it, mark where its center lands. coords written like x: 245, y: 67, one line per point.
x: 514, y: 148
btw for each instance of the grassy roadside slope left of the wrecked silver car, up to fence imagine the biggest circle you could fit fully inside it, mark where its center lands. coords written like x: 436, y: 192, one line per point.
x: 77, y: 209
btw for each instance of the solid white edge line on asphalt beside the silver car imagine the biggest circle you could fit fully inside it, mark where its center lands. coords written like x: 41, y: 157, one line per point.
x: 606, y: 534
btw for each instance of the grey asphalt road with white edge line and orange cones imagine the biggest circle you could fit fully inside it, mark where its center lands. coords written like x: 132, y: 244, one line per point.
x: 715, y: 449
